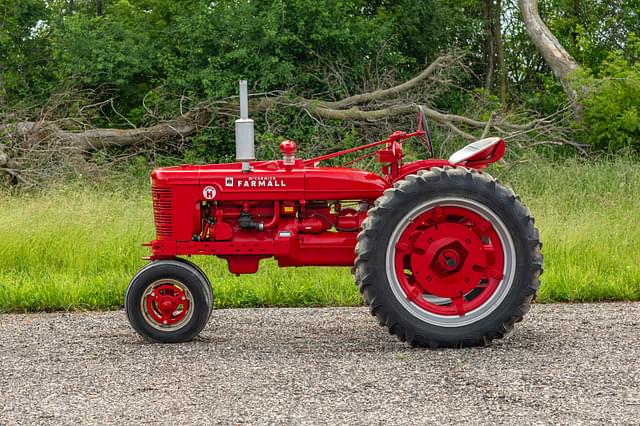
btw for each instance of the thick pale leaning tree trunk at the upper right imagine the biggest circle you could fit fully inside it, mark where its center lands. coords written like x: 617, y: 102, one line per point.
x: 557, y: 58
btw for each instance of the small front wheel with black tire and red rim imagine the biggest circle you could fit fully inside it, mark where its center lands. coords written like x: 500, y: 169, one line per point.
x: 169, y: 301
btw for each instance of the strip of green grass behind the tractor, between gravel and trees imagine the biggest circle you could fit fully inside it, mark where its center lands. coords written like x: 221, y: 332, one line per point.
x: 77, y: 249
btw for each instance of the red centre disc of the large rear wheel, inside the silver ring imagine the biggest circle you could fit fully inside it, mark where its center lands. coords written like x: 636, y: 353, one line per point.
x: 449, y: 260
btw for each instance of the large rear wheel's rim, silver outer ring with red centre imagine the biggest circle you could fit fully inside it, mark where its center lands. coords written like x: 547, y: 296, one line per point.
x: 450, y: 261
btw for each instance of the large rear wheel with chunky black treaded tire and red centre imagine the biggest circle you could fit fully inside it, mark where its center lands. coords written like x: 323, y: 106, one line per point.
x: 448, y: 257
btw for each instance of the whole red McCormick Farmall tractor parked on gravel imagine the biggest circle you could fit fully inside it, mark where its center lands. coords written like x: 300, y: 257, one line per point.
x: 443, y: 254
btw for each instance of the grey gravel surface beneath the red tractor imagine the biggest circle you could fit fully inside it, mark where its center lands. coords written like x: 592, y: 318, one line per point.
x: 564, y: 364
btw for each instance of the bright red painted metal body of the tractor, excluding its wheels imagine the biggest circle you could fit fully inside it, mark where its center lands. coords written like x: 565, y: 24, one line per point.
x: 295, y: 211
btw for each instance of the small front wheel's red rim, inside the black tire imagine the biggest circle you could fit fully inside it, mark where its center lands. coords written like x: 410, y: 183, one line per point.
x: 167, y: 305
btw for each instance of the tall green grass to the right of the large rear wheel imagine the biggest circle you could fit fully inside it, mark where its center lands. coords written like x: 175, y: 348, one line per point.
x: 588, y: 214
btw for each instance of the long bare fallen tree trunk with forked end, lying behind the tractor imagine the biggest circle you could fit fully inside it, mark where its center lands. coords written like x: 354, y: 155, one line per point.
x: 190, y: 122
